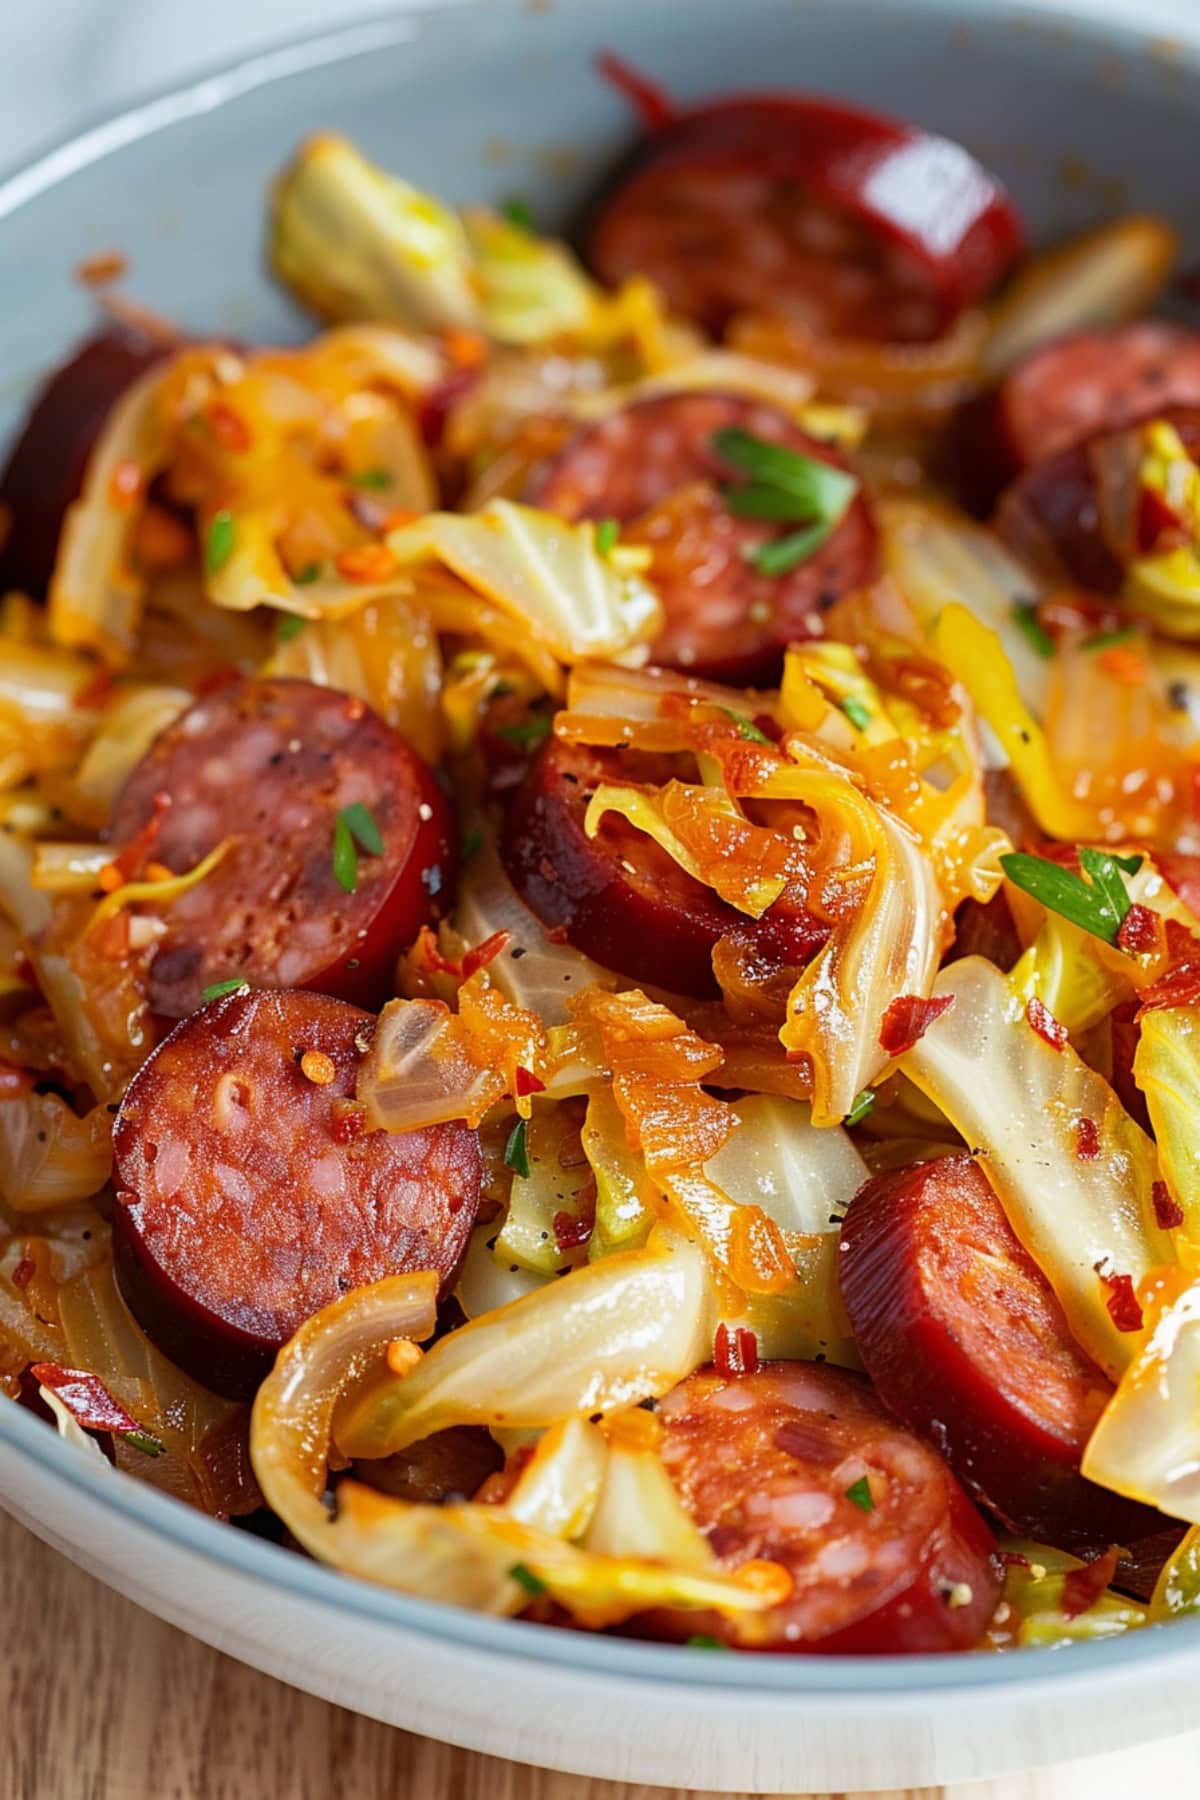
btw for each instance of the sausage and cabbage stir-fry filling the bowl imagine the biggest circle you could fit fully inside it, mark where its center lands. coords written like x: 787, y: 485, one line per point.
x: 602, y: 890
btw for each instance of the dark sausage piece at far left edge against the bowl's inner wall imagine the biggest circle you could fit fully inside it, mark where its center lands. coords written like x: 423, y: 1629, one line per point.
x: 48, y: 463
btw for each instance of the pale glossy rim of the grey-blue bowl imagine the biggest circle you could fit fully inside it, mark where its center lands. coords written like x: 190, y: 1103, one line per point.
x: 591, y: 1655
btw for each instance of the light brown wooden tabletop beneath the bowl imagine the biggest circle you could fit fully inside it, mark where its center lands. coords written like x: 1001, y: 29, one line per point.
x: 102, y: 1702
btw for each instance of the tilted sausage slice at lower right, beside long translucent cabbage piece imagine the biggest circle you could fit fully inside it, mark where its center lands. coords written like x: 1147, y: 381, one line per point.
x: 965, y: 1340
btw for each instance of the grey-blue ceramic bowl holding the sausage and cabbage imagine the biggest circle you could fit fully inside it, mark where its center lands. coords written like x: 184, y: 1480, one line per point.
x: 490, y: 100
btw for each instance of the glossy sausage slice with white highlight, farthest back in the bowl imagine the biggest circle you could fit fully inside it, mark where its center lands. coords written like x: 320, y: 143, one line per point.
x: 852, y: 224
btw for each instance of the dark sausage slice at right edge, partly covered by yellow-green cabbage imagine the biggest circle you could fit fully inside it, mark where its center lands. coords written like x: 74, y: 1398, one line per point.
x: 1052, y: 516
